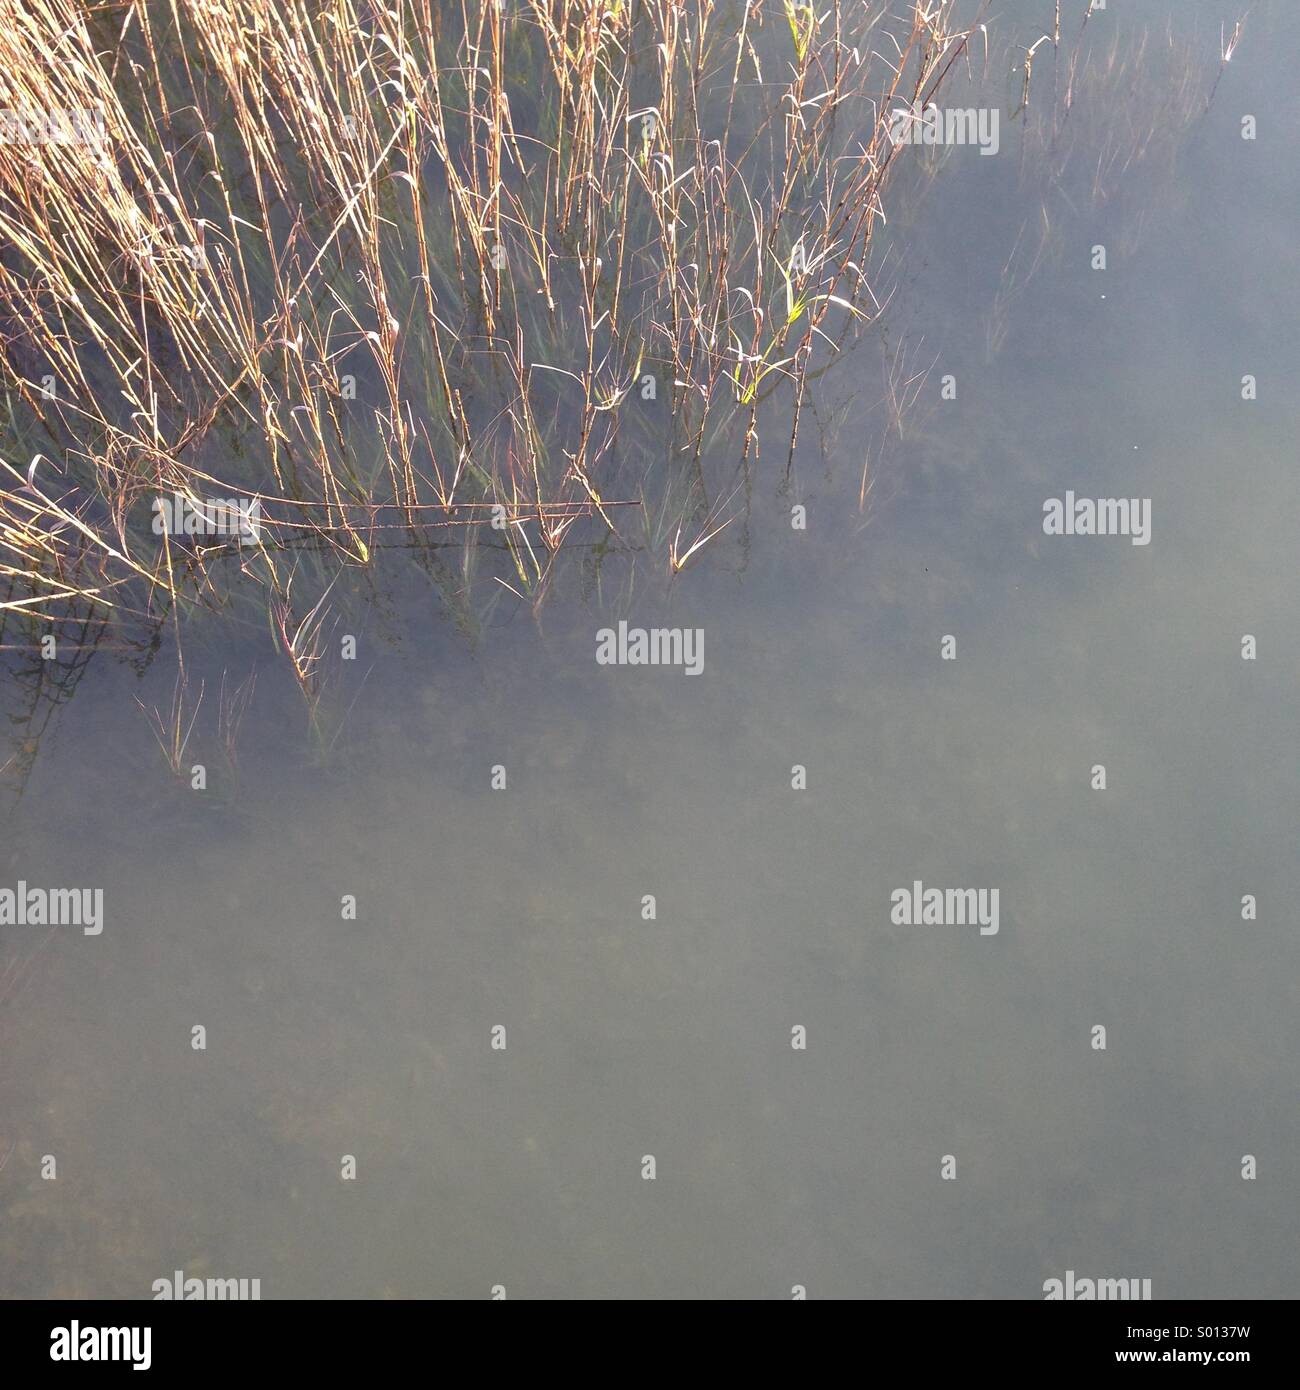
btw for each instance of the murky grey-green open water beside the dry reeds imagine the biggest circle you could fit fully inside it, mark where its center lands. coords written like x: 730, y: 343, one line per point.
x: 523, y: 907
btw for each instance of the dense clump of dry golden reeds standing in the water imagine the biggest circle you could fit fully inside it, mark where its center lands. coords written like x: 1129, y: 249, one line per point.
x: 407, y: 275
